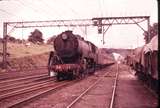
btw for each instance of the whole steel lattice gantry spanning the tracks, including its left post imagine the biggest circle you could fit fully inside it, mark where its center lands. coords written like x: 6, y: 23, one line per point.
x: 102, y: 24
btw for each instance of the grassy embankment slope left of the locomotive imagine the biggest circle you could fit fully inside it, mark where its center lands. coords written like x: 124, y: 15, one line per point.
x: 26, y: 57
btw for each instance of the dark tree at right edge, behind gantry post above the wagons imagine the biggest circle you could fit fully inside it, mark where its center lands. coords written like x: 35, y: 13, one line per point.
x: 153, y: 30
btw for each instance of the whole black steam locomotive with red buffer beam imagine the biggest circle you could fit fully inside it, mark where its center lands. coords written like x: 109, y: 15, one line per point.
x: 73, y: 56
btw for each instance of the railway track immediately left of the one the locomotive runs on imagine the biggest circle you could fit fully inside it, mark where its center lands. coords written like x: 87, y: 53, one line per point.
x: 22, y: 87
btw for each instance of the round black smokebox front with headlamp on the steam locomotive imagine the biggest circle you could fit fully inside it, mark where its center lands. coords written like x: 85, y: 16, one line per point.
x: 66, y: 45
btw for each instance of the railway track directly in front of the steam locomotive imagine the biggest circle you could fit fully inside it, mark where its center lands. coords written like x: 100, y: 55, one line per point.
x: 36, y: 91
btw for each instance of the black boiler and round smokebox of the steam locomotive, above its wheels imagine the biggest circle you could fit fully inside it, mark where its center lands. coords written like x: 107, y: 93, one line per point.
x: 71, y: 48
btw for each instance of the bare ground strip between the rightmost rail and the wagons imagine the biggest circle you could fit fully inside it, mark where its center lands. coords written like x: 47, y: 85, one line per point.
x: 131, y: 92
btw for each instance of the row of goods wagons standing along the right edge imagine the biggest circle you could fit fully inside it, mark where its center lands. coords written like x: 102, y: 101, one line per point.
x: 145, y: 63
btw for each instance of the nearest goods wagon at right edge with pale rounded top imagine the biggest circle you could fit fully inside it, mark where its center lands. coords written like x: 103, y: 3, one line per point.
x: 149, y: 62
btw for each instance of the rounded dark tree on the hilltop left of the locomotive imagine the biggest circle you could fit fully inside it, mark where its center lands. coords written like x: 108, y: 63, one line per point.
x: 36, y: 36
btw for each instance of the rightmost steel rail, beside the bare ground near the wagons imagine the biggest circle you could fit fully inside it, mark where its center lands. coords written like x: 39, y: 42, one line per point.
x: 114, y: 87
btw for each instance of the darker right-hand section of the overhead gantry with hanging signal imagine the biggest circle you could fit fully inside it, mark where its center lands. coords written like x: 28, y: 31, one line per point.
x: 109, y: 21
